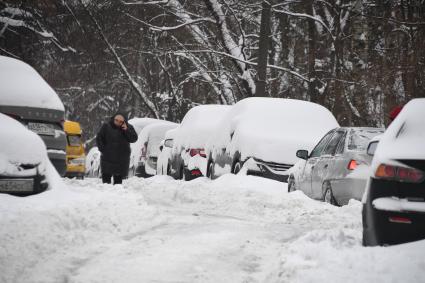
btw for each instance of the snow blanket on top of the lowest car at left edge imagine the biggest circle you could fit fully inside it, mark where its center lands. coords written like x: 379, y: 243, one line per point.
x: 14, y: 141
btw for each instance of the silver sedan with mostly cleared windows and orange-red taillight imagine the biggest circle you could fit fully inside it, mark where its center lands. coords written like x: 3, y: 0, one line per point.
x: 337, y: 168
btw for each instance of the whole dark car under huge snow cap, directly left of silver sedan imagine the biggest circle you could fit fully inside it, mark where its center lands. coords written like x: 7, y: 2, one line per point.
x: 263, y: 134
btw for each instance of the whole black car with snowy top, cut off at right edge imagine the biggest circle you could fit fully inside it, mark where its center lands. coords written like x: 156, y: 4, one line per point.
x: 394, y: 200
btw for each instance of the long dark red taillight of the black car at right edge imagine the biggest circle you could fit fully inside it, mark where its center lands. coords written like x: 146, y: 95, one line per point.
x: 397, y: 173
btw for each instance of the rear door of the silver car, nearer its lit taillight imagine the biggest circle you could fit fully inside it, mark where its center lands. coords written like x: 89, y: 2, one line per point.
x: 323, y: 166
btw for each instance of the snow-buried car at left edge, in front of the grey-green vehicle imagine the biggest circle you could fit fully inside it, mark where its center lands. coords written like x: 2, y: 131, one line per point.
x: 23, y: 158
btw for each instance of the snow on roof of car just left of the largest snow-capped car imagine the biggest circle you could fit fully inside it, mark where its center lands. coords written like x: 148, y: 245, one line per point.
x: 198, y: 124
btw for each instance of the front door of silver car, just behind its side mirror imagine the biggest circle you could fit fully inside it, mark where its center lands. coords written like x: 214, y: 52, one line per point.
x: 305, y: 178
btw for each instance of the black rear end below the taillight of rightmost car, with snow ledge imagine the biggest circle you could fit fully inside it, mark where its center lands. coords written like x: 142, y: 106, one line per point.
x: 389, y: 220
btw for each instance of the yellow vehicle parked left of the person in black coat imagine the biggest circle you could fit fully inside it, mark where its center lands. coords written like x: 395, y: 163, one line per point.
x: 75, y: 155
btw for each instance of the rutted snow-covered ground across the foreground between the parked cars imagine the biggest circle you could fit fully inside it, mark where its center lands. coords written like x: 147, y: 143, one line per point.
x: 233, y: 229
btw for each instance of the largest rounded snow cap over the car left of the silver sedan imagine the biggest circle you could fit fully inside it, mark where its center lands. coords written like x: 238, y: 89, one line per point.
x: 271, y: 129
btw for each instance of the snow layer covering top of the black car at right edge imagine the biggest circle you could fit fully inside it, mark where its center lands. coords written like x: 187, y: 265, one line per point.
x: 405, y: 136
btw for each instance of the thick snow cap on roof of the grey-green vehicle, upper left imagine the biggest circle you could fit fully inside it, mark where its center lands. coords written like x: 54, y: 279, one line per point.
x: 21, y: 85
